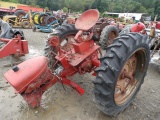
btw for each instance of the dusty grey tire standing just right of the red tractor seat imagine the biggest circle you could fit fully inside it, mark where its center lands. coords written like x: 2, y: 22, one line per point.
x: 105, y: 34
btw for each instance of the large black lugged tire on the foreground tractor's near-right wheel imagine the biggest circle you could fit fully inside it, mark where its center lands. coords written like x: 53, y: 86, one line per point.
x: 111, y: 66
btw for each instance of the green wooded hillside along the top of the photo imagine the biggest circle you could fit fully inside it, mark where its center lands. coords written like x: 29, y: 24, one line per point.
x: 151, y: 7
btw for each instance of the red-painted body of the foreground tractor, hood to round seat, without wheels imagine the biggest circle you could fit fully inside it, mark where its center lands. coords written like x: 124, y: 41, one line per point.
x: 34, y: 76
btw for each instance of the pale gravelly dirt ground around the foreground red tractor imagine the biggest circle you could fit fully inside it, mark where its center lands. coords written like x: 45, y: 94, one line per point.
x: 59, y: 104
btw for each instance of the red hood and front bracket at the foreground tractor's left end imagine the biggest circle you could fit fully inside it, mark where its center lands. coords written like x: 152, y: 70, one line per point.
x: 31, y: 79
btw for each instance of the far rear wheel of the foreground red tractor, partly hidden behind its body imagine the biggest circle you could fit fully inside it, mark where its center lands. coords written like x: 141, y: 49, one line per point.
x: 66, y: 35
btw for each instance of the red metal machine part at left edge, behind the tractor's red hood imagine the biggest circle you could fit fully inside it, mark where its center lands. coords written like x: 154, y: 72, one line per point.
x: 16, y: 46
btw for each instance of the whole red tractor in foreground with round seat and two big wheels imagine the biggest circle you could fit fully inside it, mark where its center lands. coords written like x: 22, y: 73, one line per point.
x: 70, y: 50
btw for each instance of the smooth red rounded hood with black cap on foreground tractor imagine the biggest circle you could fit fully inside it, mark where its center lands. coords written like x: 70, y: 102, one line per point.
x: 22, y: 75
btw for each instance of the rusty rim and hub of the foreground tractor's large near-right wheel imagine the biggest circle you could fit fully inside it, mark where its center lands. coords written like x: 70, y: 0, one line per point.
x: 127, y: 83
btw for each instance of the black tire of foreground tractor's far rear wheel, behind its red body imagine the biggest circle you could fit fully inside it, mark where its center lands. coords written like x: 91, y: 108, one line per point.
x: 62, y: 32
